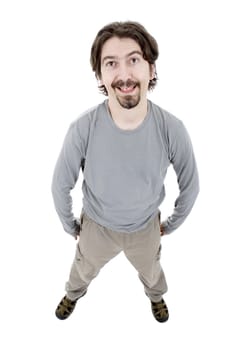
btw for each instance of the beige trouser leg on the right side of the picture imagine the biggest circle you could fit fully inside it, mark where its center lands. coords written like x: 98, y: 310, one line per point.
x: 143, y: 250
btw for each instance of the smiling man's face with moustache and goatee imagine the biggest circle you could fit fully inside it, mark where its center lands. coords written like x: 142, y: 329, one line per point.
x: 124, y: 72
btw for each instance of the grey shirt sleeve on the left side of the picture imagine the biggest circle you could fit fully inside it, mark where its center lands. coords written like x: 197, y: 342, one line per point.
x: 65, y: 176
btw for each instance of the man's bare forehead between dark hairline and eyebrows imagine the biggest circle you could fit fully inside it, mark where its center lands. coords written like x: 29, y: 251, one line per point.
x: 119, y: 47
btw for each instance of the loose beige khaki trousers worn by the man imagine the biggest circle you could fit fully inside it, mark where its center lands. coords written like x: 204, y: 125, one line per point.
x: 97, y: 245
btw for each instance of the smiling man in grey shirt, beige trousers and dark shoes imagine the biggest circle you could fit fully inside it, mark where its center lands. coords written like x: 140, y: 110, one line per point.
x: 124, y: 146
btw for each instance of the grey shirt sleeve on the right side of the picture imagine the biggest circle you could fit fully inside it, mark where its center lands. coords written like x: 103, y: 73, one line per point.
x: 182, y: 158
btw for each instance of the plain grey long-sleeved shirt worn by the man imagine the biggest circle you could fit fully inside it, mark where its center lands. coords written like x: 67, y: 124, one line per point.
x: 123, y: 179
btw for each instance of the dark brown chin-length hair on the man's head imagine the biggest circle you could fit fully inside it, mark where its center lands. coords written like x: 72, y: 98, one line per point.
x: 129, y: 29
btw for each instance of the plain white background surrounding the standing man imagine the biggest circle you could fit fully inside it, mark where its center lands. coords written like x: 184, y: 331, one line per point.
x: 46, y: 82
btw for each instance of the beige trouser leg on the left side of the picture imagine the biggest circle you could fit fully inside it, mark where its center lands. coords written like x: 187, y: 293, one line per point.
x: 95, y: 248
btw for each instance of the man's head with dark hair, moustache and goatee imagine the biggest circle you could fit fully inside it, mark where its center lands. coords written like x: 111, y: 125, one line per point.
x: 123, y: 58
